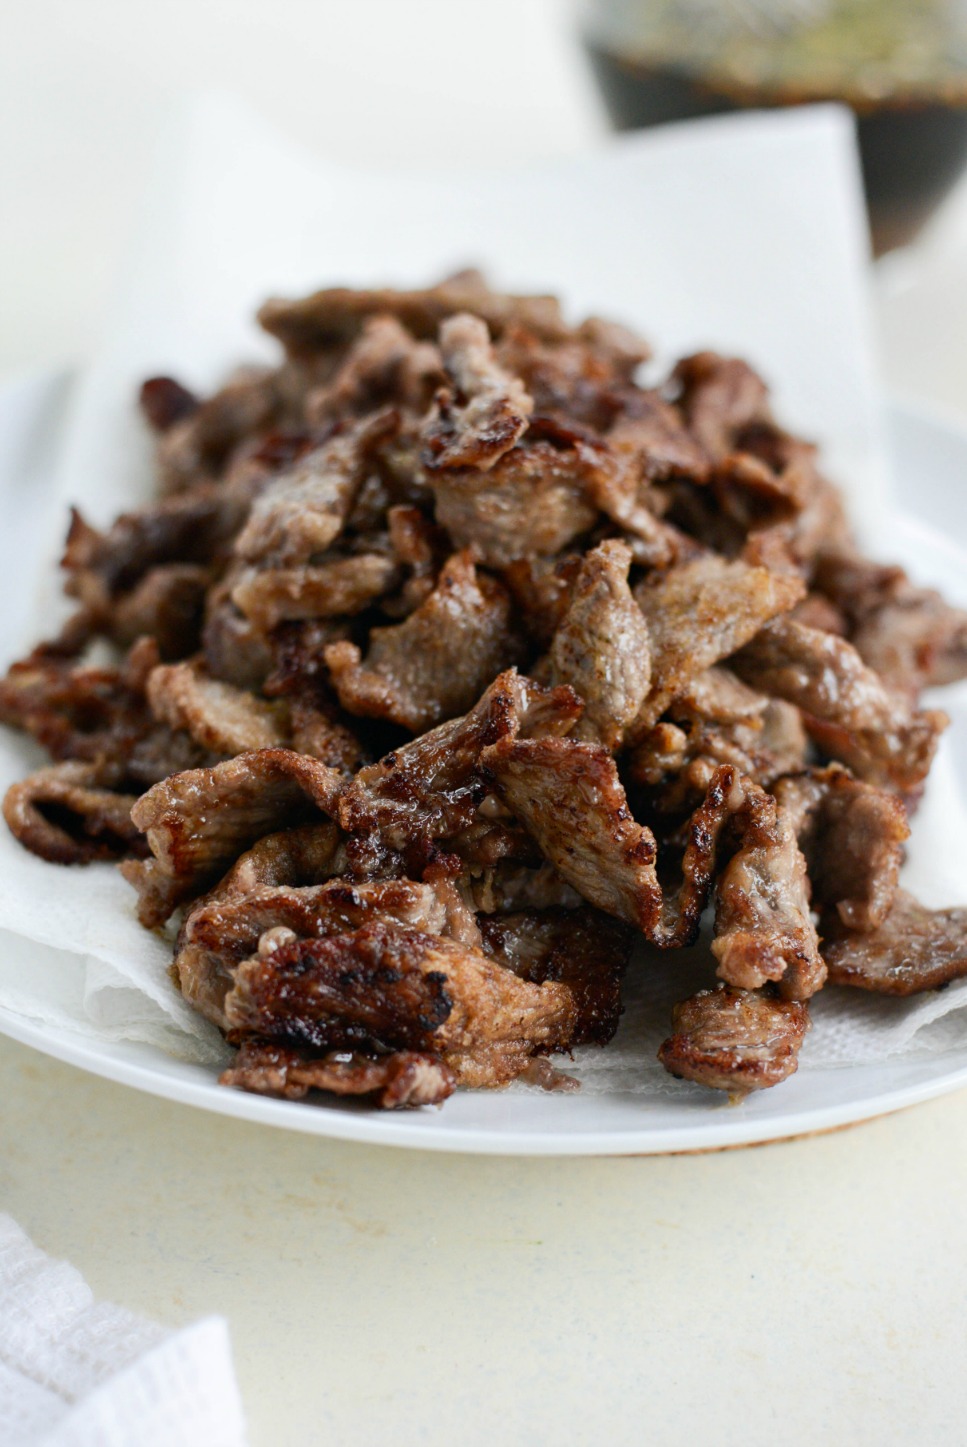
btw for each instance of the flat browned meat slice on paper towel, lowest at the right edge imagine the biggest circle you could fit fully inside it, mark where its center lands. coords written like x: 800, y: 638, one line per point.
x: 914, y: 950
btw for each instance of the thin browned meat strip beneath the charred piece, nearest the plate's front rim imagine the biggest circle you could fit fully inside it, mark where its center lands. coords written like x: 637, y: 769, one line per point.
x: 405, y: 1079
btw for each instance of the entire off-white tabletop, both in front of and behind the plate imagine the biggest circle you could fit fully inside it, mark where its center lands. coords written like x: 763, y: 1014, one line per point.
x: 807, y: 1291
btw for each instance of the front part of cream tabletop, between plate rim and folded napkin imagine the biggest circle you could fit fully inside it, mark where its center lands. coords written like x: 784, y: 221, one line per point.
x: 798, y: 1293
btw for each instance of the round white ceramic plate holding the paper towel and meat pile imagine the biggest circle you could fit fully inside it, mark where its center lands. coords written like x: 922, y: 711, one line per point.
x: 932, y: 464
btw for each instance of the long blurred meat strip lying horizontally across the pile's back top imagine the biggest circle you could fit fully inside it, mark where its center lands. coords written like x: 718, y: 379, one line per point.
x: 334, y: 318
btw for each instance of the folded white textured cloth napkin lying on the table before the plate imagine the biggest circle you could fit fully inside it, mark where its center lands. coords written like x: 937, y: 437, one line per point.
x: 76, y: 1372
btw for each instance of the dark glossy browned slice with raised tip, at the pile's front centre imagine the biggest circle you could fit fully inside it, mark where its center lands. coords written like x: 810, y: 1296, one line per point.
x: 431, y: 788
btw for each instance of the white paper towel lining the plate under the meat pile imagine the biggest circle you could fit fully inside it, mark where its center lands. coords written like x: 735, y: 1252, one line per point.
x: 745, y: 234
